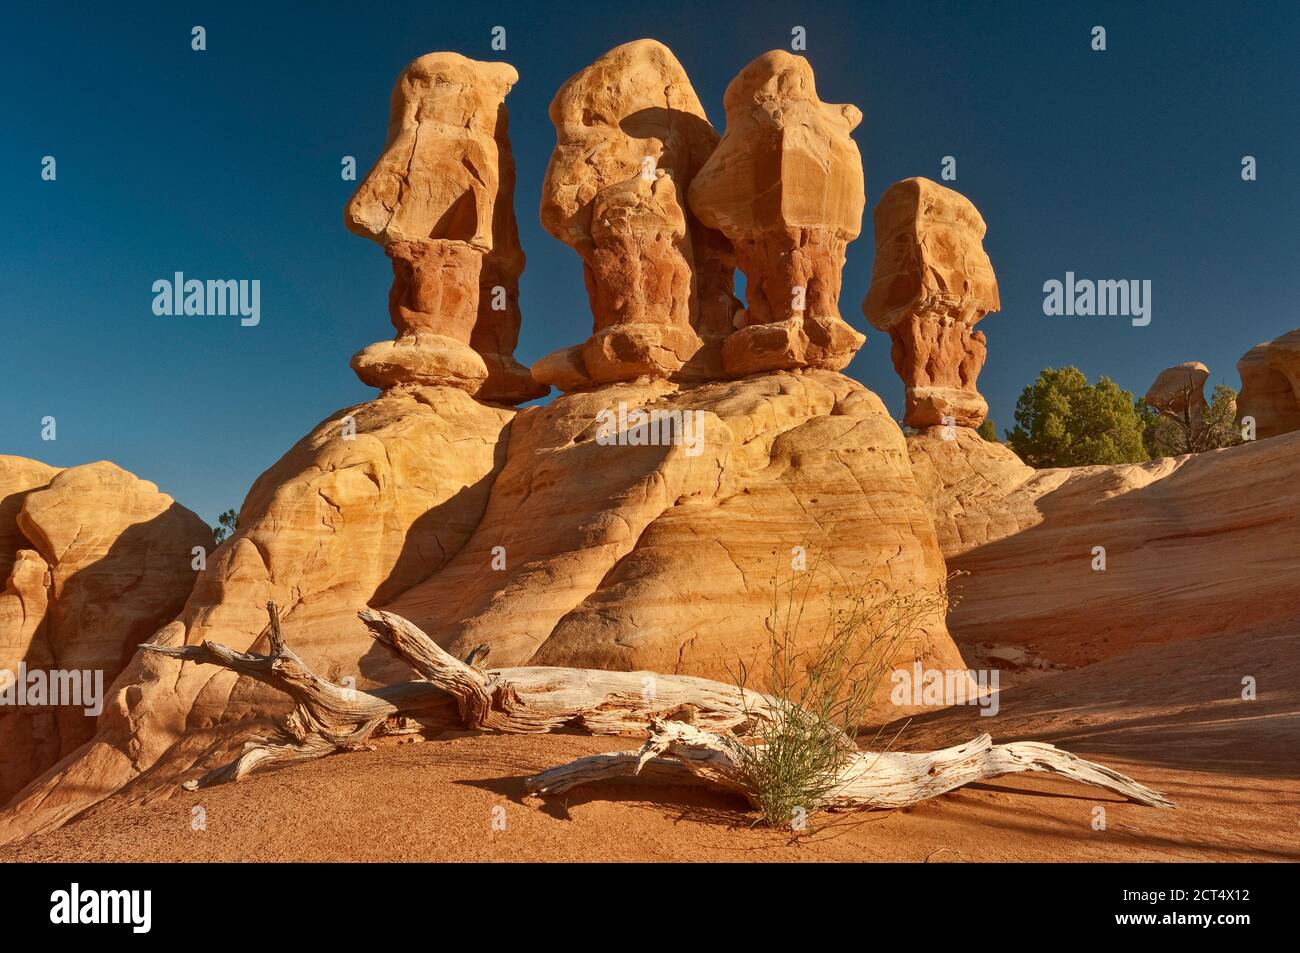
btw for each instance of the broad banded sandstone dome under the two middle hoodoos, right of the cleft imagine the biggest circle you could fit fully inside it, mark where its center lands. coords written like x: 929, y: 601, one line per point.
x: 661, y: 557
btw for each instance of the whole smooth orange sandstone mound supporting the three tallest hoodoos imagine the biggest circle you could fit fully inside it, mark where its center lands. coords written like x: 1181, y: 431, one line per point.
x: 545, y: 534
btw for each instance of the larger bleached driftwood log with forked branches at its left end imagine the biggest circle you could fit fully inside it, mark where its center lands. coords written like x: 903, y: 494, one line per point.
x: 330, y: 718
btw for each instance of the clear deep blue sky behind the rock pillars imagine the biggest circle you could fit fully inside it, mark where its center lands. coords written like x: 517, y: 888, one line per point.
x: 222, y: 164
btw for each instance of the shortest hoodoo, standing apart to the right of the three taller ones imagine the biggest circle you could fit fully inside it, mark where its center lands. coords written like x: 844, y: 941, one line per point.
x: 930, y: 287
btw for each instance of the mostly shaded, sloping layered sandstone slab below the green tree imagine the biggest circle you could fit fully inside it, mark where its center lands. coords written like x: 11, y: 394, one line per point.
x: 1194, y: 545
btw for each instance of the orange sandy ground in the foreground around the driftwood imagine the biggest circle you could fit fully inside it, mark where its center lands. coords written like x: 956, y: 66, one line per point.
x: 1172, y: 717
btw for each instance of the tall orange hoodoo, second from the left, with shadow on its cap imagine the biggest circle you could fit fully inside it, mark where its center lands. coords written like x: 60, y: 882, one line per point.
x: 630, y: 138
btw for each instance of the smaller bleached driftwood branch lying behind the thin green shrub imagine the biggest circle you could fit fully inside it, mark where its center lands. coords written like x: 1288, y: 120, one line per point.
x: 679, y: 752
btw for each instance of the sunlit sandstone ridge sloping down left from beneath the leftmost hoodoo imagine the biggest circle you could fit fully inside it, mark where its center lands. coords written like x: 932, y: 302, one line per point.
x: 340, y: 522
